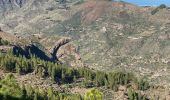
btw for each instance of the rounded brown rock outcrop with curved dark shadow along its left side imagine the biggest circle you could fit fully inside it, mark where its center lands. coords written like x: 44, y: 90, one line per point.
x: 66, y: 52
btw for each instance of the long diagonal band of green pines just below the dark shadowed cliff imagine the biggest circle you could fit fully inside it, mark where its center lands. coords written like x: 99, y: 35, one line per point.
x: 63, y: 75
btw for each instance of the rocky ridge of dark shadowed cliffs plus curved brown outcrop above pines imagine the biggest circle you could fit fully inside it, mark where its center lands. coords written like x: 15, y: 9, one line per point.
x: 62, y: 49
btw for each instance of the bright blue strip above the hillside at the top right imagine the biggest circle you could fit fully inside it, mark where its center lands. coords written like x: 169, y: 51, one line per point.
x: 149, y: 2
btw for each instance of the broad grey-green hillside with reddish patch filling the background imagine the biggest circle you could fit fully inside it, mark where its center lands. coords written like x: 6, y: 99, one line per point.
x: 107, y: 35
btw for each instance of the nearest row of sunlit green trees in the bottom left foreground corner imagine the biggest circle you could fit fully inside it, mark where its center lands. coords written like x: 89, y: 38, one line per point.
x: 10, y: 90
